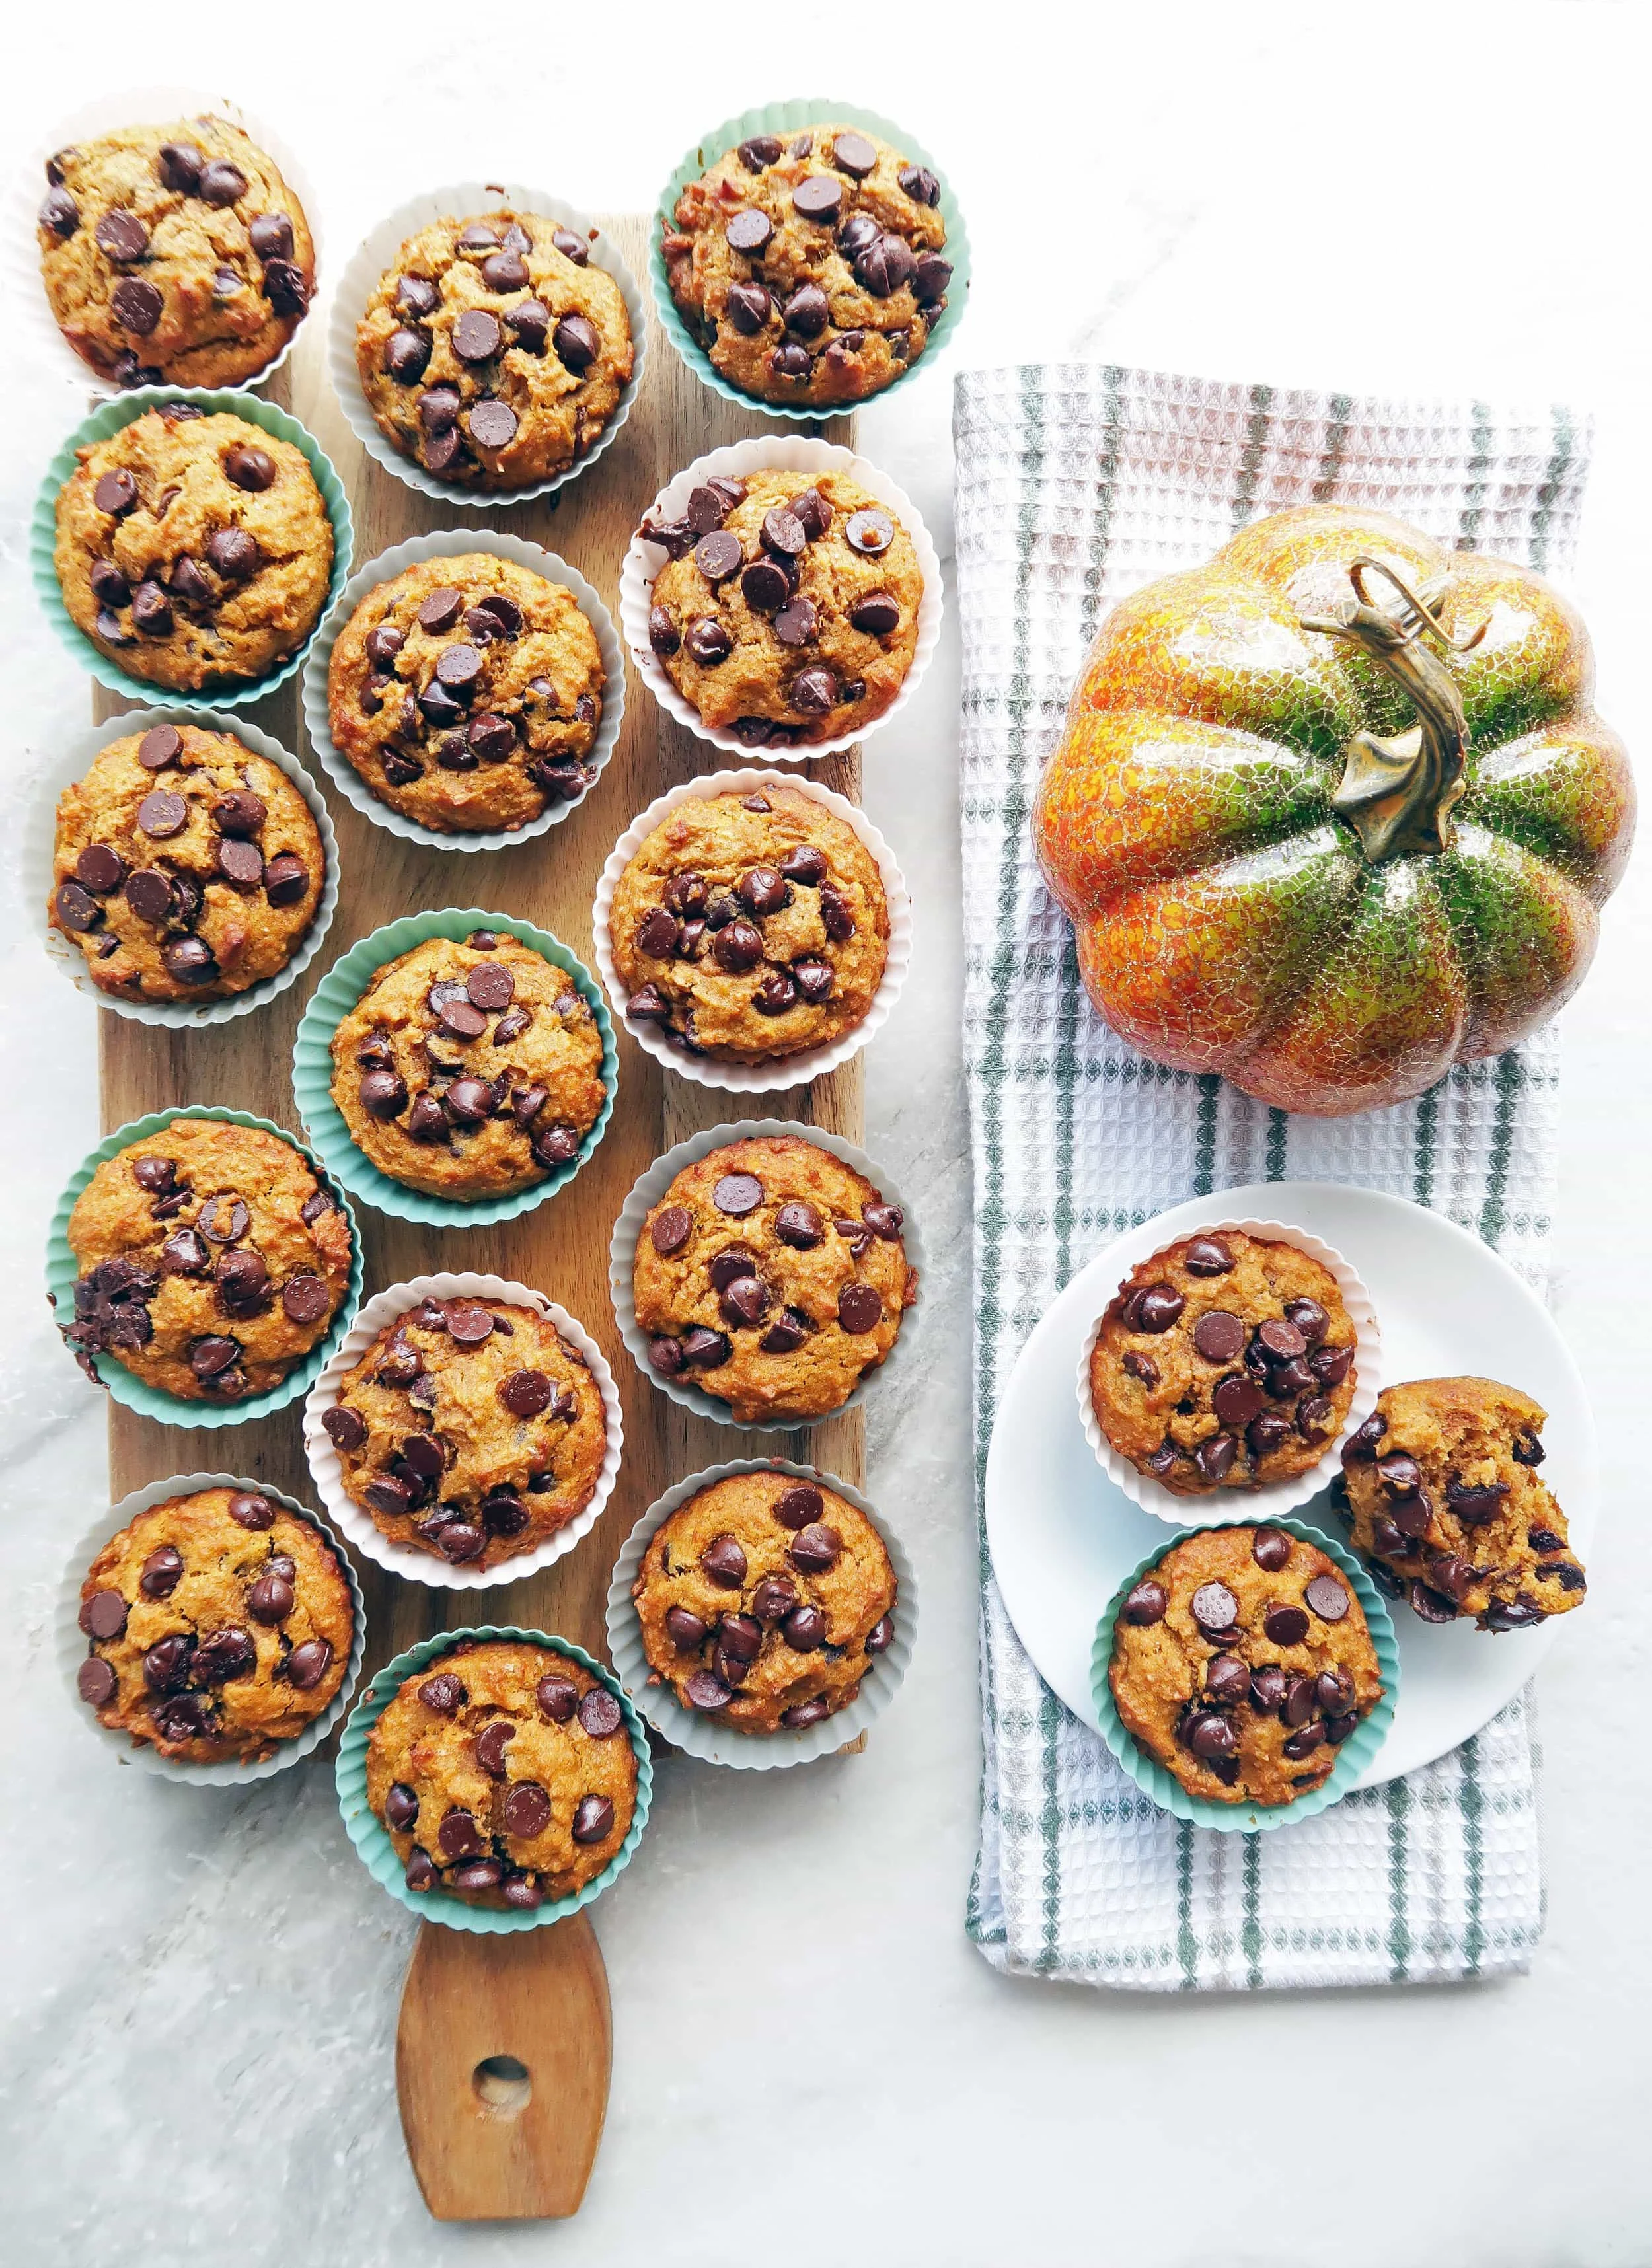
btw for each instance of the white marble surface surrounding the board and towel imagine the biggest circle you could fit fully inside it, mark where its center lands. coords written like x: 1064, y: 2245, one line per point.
x: 201, y: 1990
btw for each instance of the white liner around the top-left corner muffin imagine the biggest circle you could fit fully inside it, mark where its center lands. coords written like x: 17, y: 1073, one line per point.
x: 22, y: 257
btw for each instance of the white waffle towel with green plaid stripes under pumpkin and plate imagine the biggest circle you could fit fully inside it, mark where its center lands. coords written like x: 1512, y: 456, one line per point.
x: 1077, y: 486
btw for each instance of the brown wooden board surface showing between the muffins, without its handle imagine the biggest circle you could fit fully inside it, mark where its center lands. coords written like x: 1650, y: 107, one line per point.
x: 562, y: 1246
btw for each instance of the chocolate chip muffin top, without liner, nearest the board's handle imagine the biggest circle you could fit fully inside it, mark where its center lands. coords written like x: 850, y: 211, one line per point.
x: 503, y: 1775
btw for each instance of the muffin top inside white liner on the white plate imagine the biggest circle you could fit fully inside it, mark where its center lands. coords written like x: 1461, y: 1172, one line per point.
x: 1227, y: 1362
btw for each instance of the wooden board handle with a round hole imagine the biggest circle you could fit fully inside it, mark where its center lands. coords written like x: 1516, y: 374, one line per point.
x: 503, y: 2063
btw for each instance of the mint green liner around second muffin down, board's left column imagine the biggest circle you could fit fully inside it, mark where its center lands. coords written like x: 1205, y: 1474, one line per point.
x: 106, y: 421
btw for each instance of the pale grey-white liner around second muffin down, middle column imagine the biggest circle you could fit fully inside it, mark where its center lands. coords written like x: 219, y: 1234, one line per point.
x: 453, y: 543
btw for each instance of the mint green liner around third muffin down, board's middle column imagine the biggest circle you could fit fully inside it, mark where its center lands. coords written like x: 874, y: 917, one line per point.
x: 314, y: 1069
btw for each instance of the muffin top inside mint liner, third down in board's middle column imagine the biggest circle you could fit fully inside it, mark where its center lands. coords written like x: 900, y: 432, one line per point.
x: 469, y: 1069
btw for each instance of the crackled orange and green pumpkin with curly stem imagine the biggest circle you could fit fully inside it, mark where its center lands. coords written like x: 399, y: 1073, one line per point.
x: 1333, y: 813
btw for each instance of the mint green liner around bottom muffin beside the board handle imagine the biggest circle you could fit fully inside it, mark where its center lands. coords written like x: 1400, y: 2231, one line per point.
x: 376, y: 1847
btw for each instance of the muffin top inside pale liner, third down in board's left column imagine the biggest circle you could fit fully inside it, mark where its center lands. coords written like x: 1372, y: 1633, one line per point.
x: 187, y: 868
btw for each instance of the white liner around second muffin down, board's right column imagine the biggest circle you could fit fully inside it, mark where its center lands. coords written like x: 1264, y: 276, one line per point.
x: 773, y: 452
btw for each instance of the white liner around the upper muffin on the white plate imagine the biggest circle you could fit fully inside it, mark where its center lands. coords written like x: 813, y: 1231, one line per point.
x: 1224, y: 1507
